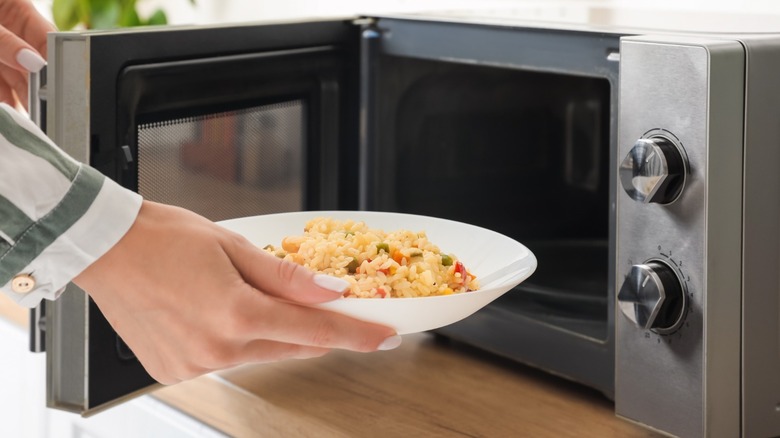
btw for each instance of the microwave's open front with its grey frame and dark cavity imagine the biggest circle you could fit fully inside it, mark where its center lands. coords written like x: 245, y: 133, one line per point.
x: 513, y: 130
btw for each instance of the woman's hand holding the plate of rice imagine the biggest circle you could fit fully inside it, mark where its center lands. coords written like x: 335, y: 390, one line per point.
x: 189, y: 297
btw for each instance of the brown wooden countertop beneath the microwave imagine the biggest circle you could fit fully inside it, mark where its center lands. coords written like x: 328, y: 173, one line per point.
x: 427, y: 387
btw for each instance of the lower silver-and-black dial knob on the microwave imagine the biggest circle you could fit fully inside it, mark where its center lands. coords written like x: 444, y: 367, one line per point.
x: 653, y: 297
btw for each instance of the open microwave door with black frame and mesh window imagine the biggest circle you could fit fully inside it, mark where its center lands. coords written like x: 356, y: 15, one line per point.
x: 226, y: 121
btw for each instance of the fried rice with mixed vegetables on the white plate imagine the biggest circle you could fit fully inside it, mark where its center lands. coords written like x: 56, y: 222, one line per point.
x: 377, y: 264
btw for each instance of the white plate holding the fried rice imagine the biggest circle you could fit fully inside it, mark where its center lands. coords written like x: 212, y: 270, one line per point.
x: 482, y: 251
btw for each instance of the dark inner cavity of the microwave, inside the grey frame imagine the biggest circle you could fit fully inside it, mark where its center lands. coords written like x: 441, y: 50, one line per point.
x: 524, y: 153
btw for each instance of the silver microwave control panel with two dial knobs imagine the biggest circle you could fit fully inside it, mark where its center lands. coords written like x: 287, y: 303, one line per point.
x: 678, y: 234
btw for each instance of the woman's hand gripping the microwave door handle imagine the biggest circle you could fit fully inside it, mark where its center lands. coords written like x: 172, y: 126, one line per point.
x: 22, y: 48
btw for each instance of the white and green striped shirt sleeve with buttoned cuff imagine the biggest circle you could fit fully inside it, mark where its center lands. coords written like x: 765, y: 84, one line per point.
x: 57, y: 215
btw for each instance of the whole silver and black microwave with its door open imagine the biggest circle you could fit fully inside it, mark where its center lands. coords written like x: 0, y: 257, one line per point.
x: 633, y: 151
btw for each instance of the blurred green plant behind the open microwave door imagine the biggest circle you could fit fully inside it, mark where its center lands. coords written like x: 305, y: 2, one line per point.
x: 102, y: 14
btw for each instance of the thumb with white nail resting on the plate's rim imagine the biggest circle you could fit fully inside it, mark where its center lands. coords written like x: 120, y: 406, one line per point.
x: 280, y: 278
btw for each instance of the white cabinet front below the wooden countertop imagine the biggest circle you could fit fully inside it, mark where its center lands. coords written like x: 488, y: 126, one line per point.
x: 23, y: 411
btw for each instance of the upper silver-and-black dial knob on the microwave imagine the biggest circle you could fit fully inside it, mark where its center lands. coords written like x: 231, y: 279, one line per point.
x: 654, y: 171
